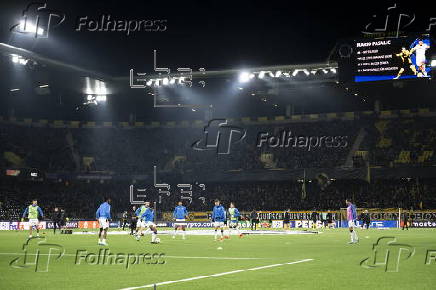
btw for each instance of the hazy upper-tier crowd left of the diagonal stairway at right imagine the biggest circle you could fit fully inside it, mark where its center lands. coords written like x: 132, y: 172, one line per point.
x: 137, y: 150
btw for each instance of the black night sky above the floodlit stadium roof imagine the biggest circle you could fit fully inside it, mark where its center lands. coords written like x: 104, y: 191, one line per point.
x: 214, y: 35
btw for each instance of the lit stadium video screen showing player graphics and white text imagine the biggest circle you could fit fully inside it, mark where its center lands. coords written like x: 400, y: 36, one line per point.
x: 392, y: 59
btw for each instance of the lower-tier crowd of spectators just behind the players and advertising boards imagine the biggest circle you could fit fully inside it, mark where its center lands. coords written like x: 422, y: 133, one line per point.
x: 80, y: 199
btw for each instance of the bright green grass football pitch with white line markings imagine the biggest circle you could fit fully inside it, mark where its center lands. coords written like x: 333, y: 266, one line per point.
x: 395, y: 259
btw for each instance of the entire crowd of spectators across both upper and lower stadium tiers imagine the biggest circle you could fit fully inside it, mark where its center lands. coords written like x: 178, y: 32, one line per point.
x: 136, y: 150
